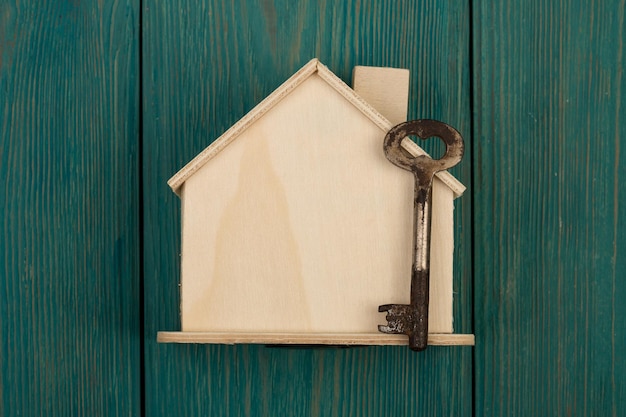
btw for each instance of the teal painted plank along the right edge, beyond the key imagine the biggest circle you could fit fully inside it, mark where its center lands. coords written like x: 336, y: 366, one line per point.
x: 550, y: 208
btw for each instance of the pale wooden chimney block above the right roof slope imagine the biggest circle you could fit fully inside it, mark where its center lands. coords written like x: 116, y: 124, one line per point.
x: 385, y: 89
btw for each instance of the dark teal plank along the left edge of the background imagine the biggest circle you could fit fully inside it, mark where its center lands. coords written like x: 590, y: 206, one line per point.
x: 69, y: 234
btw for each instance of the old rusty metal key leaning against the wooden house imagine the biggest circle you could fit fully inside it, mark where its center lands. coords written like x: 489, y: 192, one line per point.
x: 412, y: 319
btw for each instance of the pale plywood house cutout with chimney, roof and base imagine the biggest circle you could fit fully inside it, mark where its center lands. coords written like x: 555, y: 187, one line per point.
x: 295, y: 227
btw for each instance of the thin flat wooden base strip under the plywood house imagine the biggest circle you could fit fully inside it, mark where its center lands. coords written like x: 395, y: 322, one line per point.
x: 347, y: 339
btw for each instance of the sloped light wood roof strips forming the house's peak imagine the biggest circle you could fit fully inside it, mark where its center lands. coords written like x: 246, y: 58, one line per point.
x: 311, y: 68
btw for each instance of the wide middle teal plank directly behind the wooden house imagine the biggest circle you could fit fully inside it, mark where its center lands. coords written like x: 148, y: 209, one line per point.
x: 206, y: 63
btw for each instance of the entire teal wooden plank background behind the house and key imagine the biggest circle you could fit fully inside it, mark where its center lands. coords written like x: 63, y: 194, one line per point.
x: 102, y: 101
